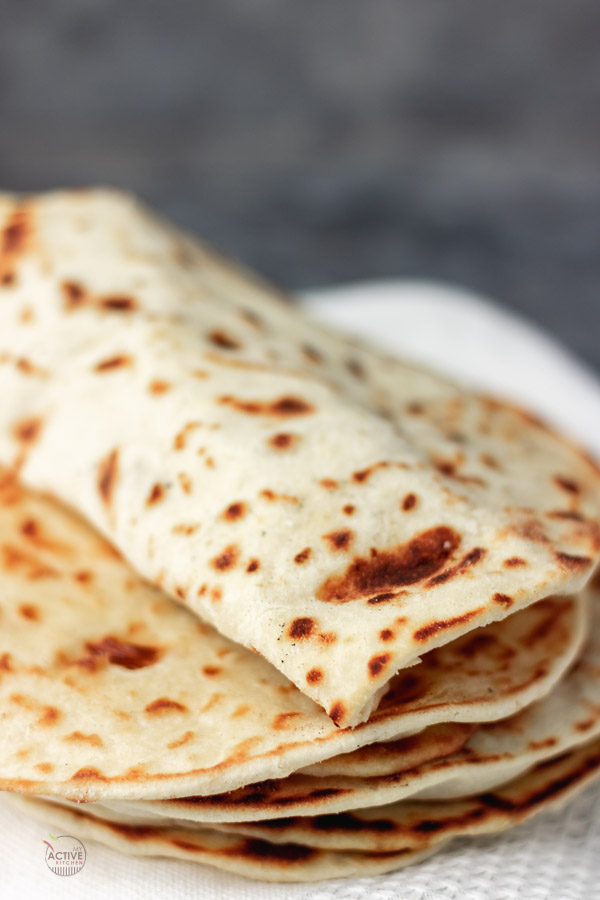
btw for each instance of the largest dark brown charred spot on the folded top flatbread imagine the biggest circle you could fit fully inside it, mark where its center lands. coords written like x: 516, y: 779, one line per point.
x: 385, y: 570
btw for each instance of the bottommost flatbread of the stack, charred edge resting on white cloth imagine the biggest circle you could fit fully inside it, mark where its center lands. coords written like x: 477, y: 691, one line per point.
x: 420, y: 829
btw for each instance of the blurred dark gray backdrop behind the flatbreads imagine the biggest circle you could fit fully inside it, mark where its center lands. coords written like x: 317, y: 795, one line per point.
x: 332, y: 140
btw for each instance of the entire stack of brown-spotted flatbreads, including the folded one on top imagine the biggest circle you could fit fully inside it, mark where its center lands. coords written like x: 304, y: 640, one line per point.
x: 270, y: 600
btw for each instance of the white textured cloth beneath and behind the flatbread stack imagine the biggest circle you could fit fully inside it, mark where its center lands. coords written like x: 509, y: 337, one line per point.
x: 557, y: 855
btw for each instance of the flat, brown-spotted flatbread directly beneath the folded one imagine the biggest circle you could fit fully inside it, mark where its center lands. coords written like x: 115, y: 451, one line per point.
x: 109, y: 690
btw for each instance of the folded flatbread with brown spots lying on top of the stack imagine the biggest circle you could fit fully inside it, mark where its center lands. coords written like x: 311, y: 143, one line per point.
x: 339, y: 512
